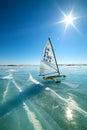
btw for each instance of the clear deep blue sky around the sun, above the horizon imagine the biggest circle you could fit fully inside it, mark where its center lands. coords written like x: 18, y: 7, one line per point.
x: 25, y: 26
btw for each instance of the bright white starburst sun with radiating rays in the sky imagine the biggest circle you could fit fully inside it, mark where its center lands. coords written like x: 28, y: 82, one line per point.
x: 68, y: 20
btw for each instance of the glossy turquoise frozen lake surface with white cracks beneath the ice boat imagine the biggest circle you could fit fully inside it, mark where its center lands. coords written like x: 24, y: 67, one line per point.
x: 29, y: 103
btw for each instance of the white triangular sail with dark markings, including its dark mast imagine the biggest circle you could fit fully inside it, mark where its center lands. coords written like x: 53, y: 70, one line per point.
x: 48, y: 61
